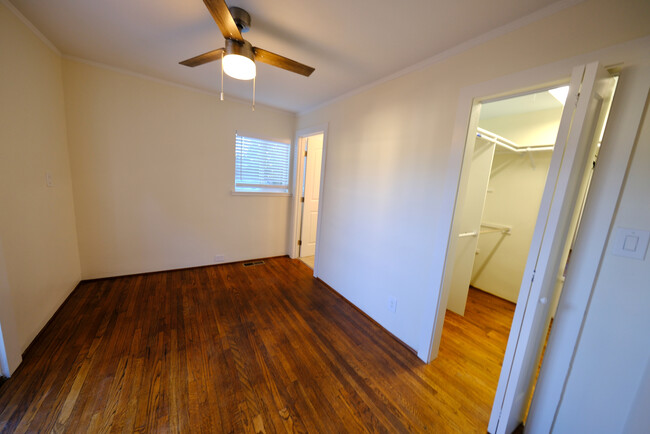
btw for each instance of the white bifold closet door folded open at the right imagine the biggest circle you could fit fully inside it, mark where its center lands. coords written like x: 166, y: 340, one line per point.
x: 590, y: 86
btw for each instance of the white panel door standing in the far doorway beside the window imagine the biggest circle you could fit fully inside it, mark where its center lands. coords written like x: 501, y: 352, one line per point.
x: 314, y: 149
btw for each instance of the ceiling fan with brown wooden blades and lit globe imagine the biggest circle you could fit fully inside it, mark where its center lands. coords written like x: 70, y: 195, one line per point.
x: 239, y: 56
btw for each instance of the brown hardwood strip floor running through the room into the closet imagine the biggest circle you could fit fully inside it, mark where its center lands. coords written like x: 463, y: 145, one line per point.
x: 230, y: 348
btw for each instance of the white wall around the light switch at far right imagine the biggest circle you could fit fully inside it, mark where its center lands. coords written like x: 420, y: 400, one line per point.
x: 608, y: 381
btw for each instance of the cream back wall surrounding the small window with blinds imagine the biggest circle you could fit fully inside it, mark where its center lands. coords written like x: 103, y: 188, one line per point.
x: 153, y: 170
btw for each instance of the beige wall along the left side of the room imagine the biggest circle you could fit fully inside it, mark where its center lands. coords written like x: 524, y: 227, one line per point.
x: 37, y: 223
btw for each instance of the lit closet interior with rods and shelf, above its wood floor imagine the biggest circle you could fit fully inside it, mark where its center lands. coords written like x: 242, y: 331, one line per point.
x: 512, y: 153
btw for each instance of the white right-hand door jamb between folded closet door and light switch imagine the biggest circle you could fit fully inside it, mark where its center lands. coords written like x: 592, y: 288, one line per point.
x: 608, y: 178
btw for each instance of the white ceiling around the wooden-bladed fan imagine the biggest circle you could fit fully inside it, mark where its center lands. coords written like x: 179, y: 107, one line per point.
x: 350, y: 43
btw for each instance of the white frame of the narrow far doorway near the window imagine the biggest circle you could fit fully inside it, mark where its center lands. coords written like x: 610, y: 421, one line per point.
x: 298, y: 180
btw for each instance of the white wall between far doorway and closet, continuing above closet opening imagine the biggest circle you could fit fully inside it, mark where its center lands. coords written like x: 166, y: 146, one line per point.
x: 388, y: 151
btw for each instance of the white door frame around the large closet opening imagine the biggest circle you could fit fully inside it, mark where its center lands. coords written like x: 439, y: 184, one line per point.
x: 605, y: 189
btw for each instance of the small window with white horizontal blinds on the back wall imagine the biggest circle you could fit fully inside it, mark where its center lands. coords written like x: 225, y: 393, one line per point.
x: 261, y: 165
